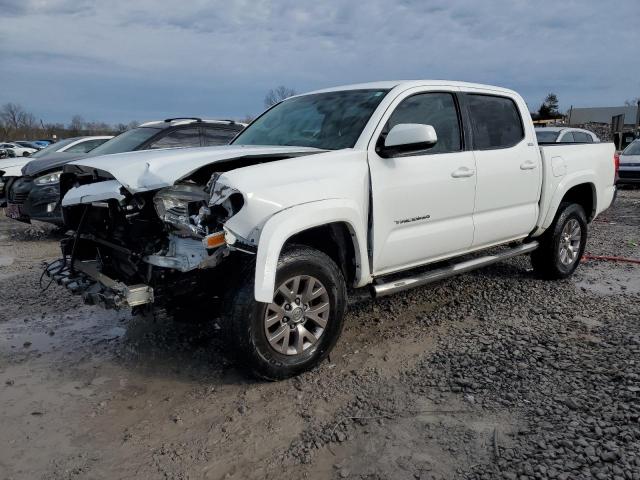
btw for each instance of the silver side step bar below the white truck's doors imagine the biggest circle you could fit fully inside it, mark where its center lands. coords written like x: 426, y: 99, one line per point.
x: 383, y: 289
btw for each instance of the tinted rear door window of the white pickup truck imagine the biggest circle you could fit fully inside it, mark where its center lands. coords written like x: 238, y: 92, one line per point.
x: 495, y: 120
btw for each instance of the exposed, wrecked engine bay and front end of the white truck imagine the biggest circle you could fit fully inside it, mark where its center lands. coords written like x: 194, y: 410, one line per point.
x: 136, y: 249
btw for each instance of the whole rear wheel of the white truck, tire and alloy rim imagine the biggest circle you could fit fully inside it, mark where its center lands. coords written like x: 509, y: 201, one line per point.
x: 562, y: 245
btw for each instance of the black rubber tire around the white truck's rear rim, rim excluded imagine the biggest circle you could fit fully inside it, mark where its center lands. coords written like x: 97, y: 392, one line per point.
x: 546, y: 259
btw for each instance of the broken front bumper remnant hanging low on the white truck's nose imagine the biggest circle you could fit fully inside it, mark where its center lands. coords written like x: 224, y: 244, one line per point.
x: 85, y: 279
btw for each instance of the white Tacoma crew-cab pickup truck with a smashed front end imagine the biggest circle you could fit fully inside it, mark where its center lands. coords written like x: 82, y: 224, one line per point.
x: 389, y: 185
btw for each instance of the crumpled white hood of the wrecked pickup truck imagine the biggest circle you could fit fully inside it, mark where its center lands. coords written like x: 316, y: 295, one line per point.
x: 154, y: 169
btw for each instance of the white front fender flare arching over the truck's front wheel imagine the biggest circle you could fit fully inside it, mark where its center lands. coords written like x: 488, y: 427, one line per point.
x: 288, y: 222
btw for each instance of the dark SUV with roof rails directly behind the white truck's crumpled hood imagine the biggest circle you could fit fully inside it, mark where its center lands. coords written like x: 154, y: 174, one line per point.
x: 36, y: 195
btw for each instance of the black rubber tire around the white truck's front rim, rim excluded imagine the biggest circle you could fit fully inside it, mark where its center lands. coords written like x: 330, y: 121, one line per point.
x: 244, y: 317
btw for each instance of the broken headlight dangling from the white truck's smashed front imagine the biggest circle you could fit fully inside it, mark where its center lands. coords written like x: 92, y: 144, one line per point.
x: 180, y: 206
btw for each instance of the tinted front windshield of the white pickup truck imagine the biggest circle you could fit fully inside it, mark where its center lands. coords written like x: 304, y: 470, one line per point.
x: 329, y: 121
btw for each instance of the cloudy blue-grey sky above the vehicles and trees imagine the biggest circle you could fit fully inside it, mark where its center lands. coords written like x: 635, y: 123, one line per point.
x: 124, y: 60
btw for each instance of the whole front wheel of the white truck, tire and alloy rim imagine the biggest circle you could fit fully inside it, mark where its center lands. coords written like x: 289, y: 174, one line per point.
x: 298, y: 329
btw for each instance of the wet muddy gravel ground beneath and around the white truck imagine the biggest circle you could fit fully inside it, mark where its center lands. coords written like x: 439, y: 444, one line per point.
x: 494, y: 374
